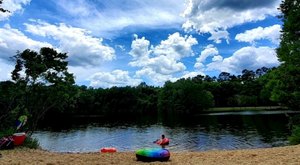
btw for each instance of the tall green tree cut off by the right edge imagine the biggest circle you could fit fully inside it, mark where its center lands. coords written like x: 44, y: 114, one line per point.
x: 286, y: 83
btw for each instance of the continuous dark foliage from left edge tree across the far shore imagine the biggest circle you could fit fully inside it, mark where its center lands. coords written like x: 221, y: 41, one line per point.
x: 47, y: 89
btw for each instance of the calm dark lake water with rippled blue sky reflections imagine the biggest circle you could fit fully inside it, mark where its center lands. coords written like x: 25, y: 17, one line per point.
x: 206, y: 132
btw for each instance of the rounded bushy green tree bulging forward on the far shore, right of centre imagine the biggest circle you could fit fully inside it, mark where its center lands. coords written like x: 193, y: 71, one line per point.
x: 184, y: 96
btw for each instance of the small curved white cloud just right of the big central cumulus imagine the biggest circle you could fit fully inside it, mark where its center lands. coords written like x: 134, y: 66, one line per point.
x: 209, y: 50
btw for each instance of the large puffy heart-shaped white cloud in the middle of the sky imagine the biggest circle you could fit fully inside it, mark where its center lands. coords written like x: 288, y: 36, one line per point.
x: 159, y: 63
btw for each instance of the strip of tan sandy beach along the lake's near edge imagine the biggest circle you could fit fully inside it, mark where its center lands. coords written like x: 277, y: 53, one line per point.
x: 278, y: 155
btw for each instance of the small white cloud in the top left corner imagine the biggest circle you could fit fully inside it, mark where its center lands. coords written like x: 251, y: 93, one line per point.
x: 13, y: 6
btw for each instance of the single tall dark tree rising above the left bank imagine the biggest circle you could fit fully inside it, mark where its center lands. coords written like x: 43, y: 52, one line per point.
x: 44, y: 81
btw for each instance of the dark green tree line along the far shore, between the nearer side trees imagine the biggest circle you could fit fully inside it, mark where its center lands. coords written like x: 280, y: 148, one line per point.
x: 185, y: 96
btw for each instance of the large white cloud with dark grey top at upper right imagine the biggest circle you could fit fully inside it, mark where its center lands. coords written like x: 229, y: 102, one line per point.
x: 209, y: 16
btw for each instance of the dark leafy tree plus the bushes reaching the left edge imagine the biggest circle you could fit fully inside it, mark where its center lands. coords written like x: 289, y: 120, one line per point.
x: 40, y: 83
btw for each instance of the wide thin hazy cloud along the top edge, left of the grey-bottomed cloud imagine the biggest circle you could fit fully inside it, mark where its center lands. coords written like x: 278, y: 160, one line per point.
x: 111, y: 16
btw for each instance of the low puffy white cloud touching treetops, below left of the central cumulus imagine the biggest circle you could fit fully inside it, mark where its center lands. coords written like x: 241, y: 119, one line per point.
x: 114, y: 78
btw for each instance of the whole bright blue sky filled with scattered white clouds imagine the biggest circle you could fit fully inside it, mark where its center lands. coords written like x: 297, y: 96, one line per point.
x: 126, y: 42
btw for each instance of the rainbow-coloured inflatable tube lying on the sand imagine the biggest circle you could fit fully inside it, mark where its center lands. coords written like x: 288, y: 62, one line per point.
x: 152, y: 154
